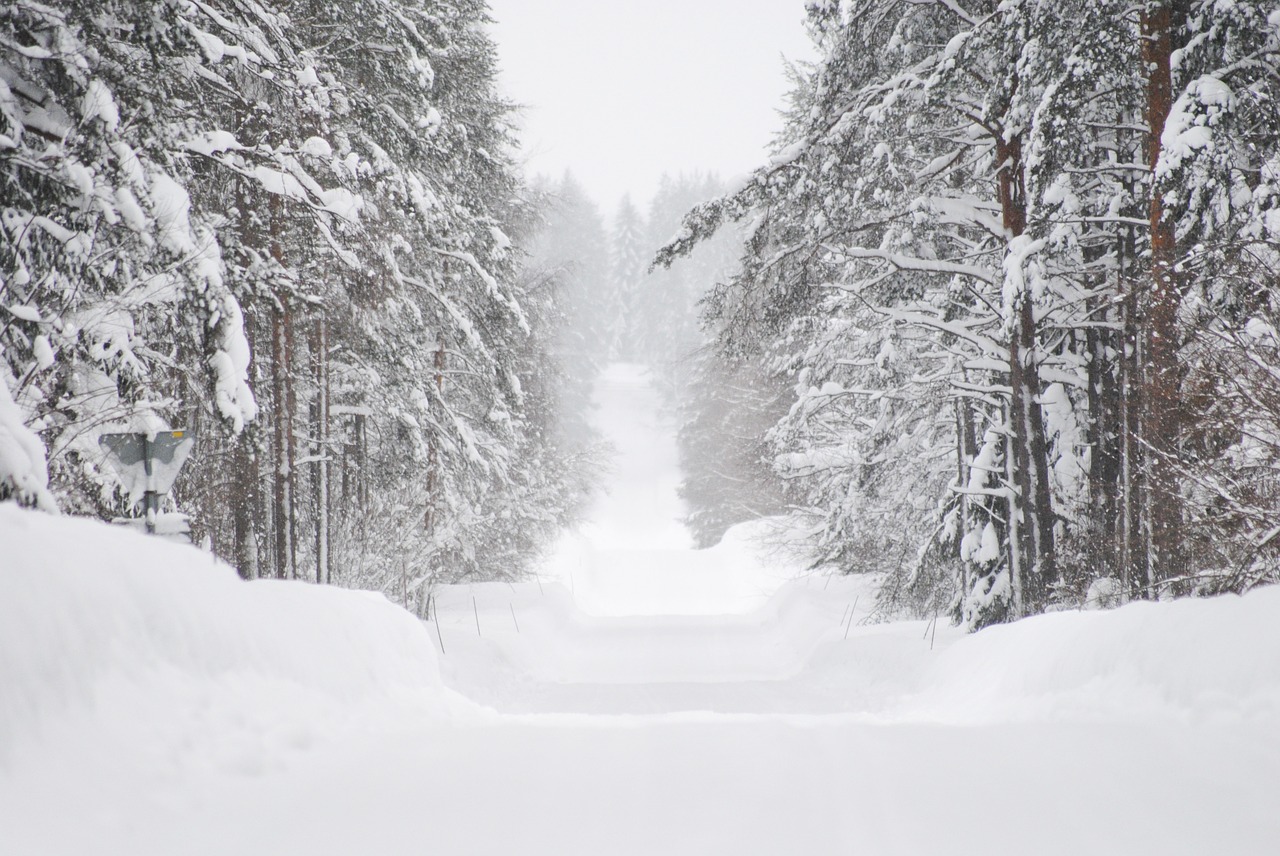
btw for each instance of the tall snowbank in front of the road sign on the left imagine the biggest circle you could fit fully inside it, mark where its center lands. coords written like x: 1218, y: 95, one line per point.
x: 117, y: 633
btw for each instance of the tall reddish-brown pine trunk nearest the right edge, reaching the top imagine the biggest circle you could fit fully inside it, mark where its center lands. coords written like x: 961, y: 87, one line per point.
x: 1163, y: 418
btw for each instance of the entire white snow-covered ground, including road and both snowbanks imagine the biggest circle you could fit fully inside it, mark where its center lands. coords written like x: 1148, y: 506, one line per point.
x: 641, y: 698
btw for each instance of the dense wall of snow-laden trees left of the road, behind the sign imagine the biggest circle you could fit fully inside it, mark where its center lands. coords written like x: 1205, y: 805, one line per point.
x: 323, y: 190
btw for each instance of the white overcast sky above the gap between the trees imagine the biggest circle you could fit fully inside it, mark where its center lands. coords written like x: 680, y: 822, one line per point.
x: 621, y: 91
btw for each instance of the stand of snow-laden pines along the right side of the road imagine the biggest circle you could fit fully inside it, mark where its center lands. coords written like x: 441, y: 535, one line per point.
x: 975, y: 248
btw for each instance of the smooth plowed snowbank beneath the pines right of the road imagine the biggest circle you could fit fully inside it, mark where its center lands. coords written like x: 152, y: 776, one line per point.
x: 1215, y: 660
